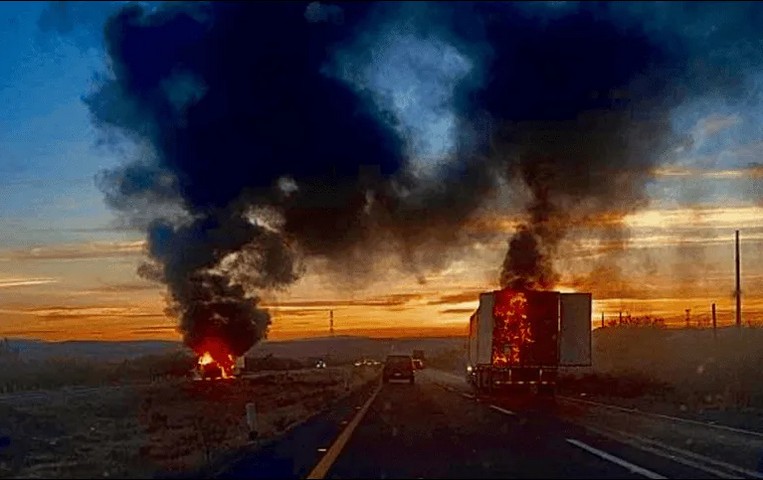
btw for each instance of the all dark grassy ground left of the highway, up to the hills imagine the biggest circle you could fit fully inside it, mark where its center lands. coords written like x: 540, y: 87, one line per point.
x: 145, y: 417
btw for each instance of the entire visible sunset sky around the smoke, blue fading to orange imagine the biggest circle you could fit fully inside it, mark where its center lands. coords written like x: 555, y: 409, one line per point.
x: 68, y: 266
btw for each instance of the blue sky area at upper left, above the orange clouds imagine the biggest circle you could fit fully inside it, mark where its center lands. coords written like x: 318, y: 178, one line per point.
x: 48, y: 152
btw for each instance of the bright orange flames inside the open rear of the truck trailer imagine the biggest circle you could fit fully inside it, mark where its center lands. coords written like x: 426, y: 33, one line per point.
x: 512, y: 332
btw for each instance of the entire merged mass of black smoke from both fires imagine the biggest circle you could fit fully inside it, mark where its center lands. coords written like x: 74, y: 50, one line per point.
x: 250, y: 156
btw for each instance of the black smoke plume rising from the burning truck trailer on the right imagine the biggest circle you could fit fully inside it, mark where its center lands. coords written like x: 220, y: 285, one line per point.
x: 581, y: 103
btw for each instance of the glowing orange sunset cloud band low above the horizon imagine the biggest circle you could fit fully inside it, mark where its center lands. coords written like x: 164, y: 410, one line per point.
x: 91, y: 290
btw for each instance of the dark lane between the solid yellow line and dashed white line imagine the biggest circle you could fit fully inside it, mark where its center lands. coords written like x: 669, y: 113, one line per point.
x: 424, y: 431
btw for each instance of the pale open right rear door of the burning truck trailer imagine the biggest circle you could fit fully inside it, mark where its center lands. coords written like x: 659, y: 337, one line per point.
x: 575, y: 326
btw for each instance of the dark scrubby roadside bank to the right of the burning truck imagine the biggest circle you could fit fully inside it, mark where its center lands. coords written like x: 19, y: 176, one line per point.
x: 695, y: 369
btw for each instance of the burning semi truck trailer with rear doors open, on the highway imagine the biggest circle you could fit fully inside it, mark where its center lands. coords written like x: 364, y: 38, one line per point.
x: 520, y: 338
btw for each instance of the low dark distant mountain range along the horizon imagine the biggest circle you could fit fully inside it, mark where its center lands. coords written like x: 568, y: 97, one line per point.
x: 336, y: 347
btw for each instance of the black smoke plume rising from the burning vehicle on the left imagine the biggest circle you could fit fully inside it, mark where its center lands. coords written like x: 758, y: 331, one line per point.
x: 249, y: 157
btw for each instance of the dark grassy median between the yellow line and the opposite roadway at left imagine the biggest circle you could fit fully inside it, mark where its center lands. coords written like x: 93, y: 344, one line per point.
x: 158, y: 429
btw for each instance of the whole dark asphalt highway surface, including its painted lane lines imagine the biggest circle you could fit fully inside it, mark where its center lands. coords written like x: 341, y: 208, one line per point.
x: 430, y: 430
